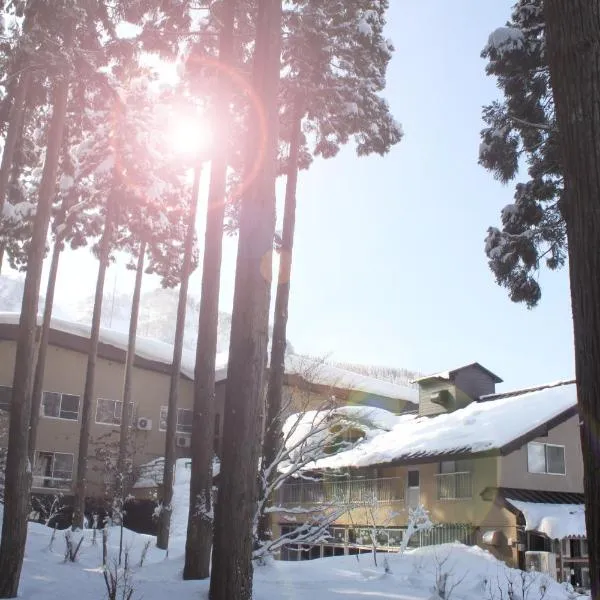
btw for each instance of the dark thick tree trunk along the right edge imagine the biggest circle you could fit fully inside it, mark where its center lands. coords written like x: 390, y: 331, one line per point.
x: 573, y: 42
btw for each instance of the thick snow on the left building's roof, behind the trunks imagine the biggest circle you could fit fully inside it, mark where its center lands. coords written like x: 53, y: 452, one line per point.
x: 146, y: 348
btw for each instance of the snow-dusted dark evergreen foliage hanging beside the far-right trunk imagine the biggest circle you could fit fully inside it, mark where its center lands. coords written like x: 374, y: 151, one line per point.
x: 521, y: 130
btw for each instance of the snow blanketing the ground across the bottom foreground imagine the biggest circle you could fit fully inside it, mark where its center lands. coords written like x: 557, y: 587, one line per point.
x: 46, y: 576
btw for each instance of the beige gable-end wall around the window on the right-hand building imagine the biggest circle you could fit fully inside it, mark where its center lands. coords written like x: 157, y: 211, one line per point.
x: 513, y: 468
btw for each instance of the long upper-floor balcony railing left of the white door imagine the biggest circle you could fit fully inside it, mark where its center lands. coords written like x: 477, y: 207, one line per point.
x: 342, y: 491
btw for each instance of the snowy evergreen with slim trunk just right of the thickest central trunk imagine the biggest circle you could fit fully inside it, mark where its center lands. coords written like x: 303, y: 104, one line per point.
x: 331, y: 53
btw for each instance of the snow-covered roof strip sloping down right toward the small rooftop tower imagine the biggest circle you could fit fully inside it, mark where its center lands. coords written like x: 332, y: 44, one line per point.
x: 321, y: 373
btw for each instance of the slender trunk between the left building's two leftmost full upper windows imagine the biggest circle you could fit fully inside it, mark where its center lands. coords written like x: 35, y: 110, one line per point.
x: 90, y: 375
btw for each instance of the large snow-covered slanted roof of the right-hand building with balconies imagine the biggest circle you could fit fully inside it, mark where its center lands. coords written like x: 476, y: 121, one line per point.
x: 480, y: 427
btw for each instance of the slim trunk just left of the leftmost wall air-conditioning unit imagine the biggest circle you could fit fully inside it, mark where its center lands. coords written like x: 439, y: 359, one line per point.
x: 122, y: 467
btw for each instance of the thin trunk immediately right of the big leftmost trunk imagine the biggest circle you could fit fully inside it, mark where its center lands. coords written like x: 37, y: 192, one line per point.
x: 40, y: 365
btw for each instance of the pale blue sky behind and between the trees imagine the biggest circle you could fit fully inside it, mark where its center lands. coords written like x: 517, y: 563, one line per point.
x: 389, y: 266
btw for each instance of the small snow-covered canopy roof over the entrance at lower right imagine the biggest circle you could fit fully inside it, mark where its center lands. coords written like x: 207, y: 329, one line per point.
x: 557, y: 521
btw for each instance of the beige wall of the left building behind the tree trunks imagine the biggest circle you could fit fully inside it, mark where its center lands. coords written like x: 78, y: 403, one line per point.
x: 65, y: 372
